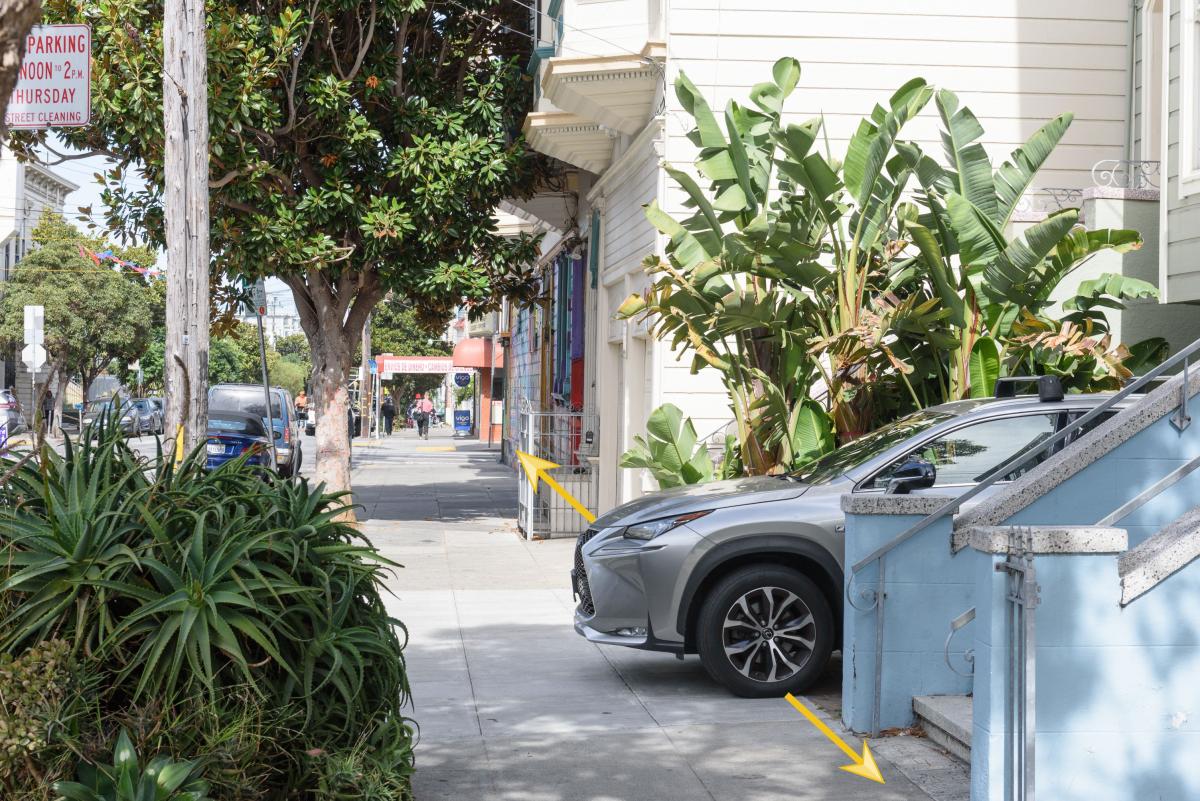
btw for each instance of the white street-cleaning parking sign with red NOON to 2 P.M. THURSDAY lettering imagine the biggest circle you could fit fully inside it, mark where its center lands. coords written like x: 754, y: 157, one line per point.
x: 55, y: 83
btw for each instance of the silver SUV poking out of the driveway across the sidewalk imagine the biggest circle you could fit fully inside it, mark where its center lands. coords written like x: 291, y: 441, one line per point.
x: 748, y: 574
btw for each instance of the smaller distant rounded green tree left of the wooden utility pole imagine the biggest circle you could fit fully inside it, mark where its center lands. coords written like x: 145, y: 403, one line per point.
x: 94, y: 315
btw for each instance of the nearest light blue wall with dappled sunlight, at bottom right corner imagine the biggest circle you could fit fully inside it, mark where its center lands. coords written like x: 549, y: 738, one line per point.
x: 1118, y: 690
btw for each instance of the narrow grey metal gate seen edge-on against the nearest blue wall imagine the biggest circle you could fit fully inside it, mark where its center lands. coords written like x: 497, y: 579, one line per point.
x: 1021, y: 722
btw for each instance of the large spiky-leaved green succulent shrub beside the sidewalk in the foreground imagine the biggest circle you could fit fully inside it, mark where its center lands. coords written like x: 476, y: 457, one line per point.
x: 221, y: 616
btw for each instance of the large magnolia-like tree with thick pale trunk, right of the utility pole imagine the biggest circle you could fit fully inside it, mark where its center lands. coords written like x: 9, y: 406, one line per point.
x: 357, y: 149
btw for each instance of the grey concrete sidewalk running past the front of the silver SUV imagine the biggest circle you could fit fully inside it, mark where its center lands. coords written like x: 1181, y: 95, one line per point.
x: 514, y: 707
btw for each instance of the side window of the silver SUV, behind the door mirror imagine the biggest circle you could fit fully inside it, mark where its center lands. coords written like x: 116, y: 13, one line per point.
x: 969, y: 455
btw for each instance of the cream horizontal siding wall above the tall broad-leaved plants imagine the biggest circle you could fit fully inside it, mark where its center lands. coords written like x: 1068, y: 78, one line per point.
x: 1016, y: 63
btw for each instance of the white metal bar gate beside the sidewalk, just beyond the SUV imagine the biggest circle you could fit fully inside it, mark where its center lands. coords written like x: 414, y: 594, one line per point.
x: 571, y: 441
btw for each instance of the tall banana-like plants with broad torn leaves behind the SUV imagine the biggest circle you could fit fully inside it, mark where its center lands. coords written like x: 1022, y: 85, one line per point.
x: 889, y: 279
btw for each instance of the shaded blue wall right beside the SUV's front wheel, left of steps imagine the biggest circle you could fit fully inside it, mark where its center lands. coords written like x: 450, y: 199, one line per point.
x: 927, y: 588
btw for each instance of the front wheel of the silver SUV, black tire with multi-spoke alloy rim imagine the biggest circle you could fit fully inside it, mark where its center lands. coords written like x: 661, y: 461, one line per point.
x: 765, y: 631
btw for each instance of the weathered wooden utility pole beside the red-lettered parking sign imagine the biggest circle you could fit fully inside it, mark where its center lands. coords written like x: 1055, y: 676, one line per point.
x: 187, y: 207
